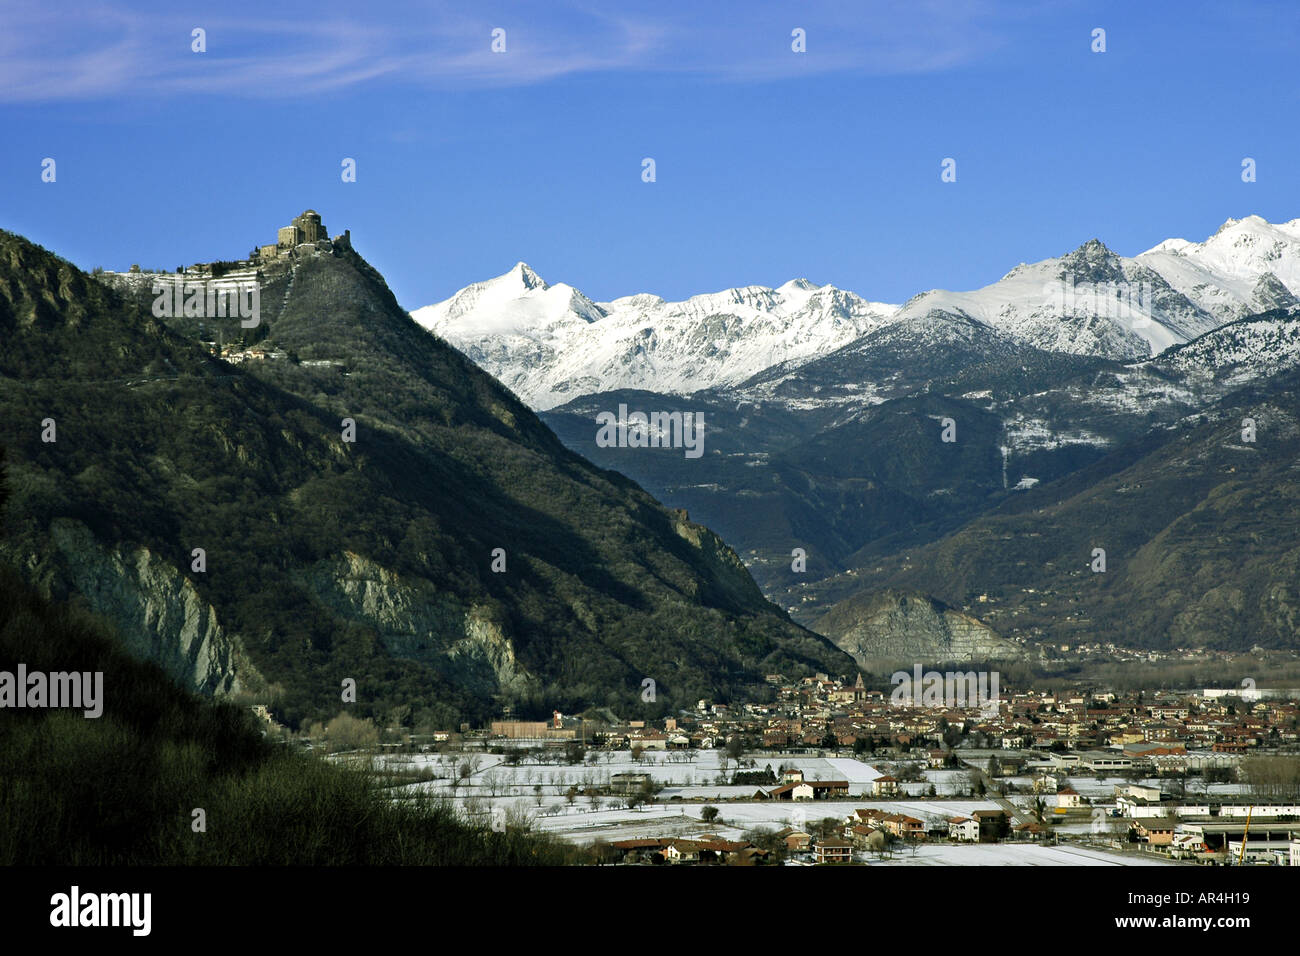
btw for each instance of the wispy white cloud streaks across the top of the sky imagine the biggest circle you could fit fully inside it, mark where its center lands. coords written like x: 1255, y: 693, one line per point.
x: 86, y: 51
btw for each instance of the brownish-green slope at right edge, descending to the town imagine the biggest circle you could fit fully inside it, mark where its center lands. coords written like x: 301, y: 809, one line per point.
x: 1198, y: 526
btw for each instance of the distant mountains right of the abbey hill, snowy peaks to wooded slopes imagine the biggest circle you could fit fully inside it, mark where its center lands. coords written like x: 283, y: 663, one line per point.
x: 1071, y: 384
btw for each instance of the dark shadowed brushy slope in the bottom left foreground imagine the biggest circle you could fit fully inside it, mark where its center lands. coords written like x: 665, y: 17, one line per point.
x: 122, y: 789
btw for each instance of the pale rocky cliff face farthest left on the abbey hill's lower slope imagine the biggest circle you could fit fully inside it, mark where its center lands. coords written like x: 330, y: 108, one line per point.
x: 159, y: 615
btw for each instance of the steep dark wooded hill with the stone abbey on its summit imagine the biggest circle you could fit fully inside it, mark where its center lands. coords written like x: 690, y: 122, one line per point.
x: 370, y: 560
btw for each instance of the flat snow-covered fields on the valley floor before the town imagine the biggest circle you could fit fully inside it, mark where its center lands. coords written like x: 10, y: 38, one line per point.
x: 554, y: 801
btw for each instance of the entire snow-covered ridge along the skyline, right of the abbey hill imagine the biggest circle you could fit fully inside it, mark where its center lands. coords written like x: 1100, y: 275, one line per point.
x: 552, y: 344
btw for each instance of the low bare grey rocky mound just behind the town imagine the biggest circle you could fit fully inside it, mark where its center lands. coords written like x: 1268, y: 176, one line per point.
x: 902, y: 626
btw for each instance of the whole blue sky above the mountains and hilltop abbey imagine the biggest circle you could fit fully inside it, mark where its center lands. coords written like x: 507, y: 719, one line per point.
x: 770, y: 165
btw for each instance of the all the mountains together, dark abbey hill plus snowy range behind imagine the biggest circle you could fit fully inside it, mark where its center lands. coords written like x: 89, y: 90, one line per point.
x: 339, y: 495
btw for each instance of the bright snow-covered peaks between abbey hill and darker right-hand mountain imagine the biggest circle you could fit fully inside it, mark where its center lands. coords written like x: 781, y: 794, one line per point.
x: 552, y: 343
